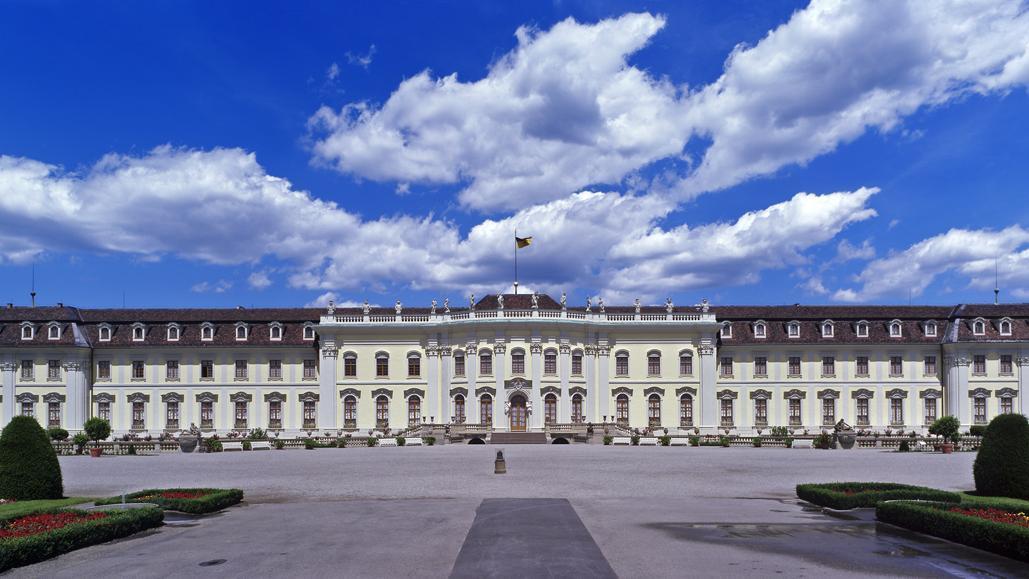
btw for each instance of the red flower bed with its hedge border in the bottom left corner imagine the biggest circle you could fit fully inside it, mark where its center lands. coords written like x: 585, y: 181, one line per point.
x: 31, y: 538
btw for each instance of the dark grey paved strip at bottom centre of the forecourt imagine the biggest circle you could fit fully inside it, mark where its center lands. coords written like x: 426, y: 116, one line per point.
x: 529, y: 538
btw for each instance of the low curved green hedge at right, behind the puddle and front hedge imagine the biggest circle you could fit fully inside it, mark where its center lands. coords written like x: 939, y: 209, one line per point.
x: 869, y: 494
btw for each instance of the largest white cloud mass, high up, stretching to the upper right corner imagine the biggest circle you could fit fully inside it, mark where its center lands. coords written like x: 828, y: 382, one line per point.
x: 565, y: 111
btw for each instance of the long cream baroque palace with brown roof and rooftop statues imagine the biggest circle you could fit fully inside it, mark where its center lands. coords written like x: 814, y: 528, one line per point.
x: 514, y: 364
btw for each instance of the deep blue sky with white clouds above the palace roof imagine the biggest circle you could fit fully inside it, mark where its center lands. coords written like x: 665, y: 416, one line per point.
x: 282, y: 155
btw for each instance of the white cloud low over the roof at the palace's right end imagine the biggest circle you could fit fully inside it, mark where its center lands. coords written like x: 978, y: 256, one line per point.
x: 970, y: 252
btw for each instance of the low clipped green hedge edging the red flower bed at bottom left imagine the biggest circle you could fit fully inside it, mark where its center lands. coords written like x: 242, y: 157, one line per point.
x: 27, y: 551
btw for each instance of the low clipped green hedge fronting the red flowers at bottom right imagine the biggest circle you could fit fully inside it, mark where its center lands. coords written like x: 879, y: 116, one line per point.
x: 934, y: 519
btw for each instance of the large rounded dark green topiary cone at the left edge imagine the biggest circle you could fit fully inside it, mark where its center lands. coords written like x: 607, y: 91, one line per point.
x: 29, y: 468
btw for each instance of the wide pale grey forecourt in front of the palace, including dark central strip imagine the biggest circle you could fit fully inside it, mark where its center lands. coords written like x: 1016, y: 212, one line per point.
x: 567, y: 512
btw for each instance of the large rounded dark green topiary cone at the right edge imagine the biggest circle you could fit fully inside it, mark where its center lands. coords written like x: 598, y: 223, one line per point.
x: 1002, y: 468
